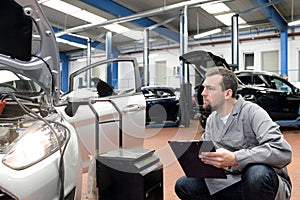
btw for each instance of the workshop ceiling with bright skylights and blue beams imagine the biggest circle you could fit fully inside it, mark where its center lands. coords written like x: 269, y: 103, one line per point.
x: 138, y: 15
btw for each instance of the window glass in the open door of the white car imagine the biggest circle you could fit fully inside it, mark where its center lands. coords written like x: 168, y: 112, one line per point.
x: 111, y: 84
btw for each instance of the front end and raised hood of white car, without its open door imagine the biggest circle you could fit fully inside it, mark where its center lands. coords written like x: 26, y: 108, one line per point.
x: 39, y: 149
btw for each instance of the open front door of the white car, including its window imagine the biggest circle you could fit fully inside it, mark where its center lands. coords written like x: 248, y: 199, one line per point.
x: 107, y: 122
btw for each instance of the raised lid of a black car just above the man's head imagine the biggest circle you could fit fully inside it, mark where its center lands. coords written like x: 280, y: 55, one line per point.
x: 204, y: 60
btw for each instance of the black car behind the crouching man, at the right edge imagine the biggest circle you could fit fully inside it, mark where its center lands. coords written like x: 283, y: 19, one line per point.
x: 275, y: 94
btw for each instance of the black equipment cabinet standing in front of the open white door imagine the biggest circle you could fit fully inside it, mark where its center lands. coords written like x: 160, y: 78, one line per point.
x: 131, y: 174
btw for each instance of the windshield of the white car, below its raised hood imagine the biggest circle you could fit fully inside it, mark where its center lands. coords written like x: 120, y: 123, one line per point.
x: 11, y: 82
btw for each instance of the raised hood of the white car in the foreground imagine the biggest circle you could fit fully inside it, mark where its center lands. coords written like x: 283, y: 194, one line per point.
x: 28, y: 44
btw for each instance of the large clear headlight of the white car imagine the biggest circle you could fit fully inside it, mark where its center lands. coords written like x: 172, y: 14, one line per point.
x: 34, y: 145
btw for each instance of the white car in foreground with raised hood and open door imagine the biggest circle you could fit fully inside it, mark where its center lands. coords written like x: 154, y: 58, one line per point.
x: 45, y: 145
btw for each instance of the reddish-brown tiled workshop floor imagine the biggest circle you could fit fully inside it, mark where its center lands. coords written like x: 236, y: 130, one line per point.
x: 156, y: 138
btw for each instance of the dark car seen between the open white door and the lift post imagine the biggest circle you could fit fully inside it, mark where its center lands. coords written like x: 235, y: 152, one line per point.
x: 162, y: 104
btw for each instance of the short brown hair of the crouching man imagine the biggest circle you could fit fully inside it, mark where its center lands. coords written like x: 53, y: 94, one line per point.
x: 229, y: 80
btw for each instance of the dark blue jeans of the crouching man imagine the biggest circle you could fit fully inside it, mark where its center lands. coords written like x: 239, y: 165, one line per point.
x: 259, y: 182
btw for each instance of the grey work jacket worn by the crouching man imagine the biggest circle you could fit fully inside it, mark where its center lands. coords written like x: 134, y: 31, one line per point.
x: 254, y: 138
